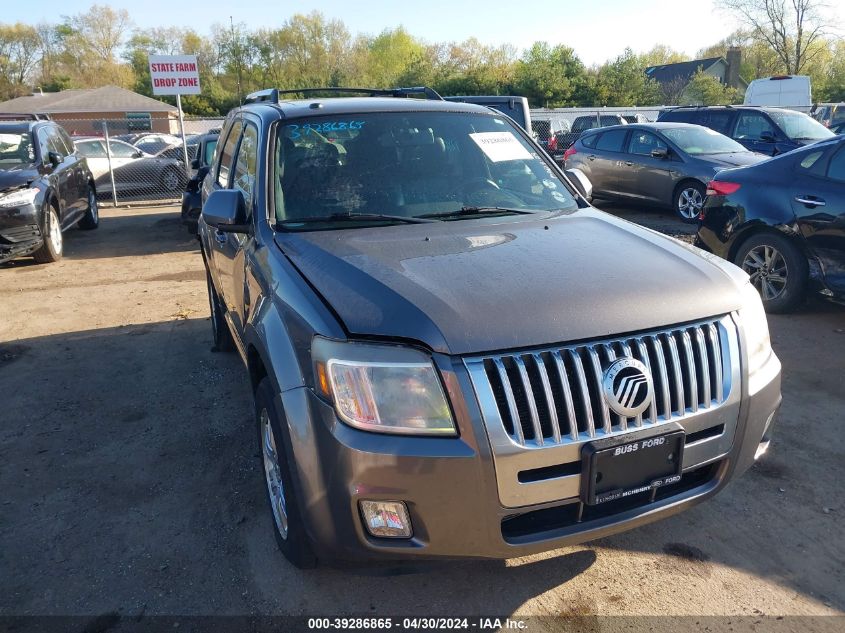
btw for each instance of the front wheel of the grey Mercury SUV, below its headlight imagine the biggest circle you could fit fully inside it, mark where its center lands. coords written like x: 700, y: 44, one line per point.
x: 287, y: 523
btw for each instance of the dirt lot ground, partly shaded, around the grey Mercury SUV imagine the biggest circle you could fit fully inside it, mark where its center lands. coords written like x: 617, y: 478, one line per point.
x: 131, y: 482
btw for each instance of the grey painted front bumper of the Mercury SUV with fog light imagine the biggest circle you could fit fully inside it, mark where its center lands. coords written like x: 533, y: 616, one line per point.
x: 449, y: 485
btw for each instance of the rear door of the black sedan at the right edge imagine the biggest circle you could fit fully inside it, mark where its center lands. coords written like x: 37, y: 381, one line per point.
x: 818, y: 199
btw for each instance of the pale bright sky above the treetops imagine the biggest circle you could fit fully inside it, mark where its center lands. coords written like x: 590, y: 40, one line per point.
x: 598, y: 30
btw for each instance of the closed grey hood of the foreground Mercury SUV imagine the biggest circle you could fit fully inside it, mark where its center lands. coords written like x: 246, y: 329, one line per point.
x: 480, y: 285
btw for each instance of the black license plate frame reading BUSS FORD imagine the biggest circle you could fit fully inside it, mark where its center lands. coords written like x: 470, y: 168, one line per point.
x: 619, y: 467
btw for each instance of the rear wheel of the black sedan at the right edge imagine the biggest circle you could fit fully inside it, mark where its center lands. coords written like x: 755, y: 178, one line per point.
x: 778, y: 270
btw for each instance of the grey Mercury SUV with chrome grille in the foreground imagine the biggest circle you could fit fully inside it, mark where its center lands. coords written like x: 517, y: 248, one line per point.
x: 452, y: 353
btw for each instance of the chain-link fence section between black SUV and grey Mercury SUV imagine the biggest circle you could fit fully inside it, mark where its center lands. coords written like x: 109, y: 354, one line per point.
x: 139, y: 161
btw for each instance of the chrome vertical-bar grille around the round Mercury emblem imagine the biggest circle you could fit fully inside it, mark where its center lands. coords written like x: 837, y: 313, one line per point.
x: 554, y: 396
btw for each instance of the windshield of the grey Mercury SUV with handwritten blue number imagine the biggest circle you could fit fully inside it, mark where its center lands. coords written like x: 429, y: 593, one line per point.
x: 408, y: 165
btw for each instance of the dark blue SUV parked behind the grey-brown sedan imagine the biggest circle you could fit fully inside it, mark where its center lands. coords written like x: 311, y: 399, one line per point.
x: 769, y: 131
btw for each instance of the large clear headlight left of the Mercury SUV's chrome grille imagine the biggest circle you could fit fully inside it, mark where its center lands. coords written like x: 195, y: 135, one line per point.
x: 398, y: 391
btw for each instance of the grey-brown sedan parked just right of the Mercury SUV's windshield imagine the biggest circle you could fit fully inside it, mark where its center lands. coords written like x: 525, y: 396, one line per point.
x: 664, y: 163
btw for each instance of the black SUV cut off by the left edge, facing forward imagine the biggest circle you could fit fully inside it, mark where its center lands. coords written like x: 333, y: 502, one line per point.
x: 45, y: 189
